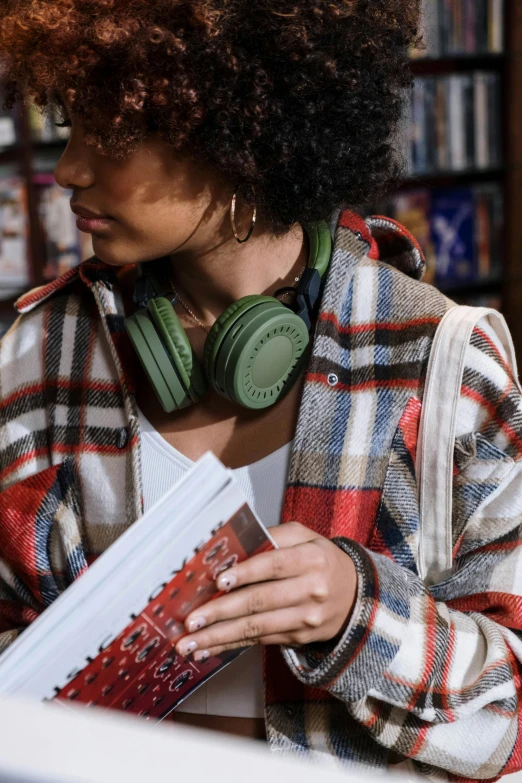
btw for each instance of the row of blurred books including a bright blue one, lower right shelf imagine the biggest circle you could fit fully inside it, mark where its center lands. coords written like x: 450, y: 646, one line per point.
x: 459, y: 229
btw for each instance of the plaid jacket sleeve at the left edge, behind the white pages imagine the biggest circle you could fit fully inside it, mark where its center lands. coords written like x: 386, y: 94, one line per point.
x: 40, y: 506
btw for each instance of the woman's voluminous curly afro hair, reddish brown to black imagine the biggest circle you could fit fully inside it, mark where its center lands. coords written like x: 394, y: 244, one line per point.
x: 300, y: 98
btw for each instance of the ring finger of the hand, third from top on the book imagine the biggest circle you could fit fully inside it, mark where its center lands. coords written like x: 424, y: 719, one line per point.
x: 245, y: 630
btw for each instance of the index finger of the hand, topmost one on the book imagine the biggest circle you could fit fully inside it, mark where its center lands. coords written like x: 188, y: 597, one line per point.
x: 273, y: 566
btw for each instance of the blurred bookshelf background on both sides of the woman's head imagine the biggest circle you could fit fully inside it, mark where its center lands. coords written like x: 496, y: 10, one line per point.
x: 461, y: 141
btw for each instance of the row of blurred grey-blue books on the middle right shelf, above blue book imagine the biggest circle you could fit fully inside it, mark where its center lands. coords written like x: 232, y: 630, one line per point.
x: 455, y: 123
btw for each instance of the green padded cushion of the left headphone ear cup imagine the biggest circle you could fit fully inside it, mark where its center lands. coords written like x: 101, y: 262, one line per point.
x: 178, y: 345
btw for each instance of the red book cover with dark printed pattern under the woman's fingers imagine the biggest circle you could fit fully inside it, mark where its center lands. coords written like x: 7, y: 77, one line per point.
x: 140, y: 671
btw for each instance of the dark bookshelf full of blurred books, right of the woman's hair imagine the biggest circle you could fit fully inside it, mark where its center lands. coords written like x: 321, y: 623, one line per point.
x: 453, y: 56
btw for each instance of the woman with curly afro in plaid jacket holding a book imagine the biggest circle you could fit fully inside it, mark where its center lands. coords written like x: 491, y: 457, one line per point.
x: 287, y: 111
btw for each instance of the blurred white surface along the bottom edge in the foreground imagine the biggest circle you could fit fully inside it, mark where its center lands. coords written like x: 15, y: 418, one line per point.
x: 50, y: 743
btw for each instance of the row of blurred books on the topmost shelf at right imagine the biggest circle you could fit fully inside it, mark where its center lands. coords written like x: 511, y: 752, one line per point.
x: 461, y: 27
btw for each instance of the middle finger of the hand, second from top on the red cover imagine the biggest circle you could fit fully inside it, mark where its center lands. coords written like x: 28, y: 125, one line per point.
x: 250, y: 600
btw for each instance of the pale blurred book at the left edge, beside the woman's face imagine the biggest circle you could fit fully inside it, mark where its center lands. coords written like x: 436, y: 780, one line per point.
x: 14, y: 228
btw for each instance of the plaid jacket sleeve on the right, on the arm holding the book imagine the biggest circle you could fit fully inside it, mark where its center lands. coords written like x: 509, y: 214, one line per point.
x: 436, y: 674
